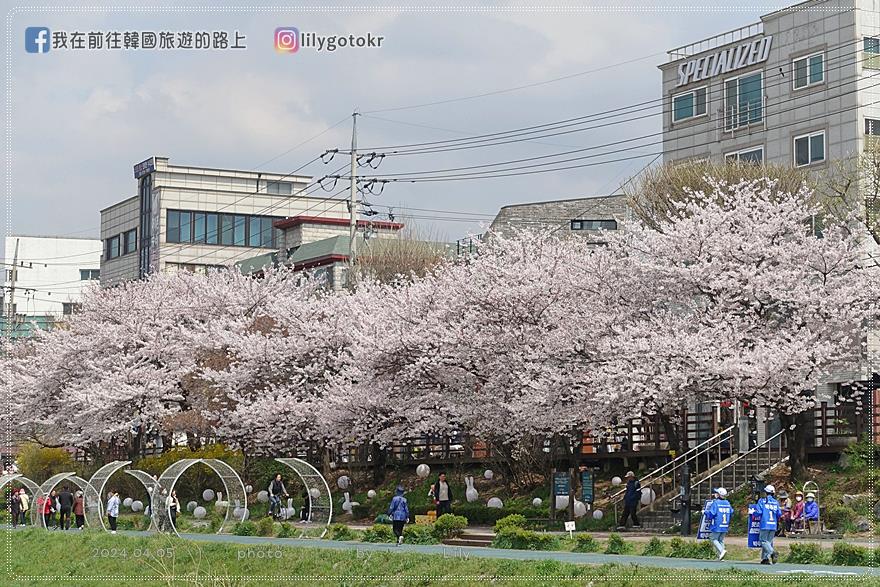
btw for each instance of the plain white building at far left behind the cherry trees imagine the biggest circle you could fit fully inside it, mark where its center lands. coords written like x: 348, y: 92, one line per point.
x: 44, y: 279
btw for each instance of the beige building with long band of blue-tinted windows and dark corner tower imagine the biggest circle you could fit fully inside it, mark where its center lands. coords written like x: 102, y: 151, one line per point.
x: 190, y: 218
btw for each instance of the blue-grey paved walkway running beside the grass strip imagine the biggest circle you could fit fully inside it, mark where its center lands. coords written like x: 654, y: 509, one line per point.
x: 500, y: 553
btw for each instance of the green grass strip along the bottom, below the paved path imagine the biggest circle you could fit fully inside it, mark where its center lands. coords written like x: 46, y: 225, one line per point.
x: 96, y: 558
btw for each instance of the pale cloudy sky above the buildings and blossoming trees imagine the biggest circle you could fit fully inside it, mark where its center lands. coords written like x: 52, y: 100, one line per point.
x: 77, y: 121
